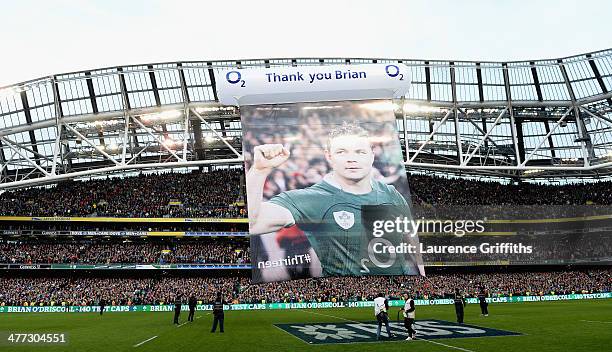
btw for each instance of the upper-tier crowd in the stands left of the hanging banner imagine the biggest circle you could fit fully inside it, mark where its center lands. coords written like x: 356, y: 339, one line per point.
x: 203, y: 195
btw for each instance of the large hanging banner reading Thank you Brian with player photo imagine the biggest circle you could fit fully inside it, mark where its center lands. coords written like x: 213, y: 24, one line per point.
x: 327, y: 191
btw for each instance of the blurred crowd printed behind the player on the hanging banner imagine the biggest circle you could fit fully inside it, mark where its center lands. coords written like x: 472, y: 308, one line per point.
x: 304, y: 128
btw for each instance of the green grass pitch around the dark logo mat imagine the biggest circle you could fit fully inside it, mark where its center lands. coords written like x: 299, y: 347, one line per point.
x: 545, y: 326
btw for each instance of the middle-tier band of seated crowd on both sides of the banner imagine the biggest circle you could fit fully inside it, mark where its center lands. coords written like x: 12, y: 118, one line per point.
x: 546, y: 249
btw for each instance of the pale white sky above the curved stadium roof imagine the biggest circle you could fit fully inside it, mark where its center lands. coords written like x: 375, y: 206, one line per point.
x: 44, y: 37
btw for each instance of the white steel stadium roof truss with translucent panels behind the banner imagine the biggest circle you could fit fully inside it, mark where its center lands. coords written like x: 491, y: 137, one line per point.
x: 528, y: 119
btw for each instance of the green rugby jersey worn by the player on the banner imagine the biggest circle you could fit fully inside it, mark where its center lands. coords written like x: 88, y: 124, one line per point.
x: 332, y: 220
